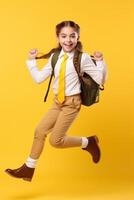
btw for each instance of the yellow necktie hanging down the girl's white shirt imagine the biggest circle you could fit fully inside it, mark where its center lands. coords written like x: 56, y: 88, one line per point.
x: 61, y: 85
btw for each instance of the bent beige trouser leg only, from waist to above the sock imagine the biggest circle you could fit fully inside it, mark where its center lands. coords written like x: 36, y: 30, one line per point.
x: 70, y: 110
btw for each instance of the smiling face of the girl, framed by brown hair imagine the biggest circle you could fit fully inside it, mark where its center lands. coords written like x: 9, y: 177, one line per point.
x: 68, y: 38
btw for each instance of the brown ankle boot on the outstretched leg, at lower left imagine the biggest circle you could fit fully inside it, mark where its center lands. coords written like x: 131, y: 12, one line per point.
x: 23, y: 172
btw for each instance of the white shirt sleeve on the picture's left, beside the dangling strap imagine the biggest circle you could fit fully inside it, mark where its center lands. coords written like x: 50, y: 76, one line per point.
x: 39, y: 75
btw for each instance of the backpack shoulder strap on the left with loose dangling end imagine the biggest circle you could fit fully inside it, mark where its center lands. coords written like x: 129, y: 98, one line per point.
x: 53, y: 63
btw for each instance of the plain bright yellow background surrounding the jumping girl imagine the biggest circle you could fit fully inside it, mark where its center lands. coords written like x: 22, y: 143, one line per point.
x: 67, y: 174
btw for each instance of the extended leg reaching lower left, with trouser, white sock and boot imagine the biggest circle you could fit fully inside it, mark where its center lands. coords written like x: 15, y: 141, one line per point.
x: 25, y: 171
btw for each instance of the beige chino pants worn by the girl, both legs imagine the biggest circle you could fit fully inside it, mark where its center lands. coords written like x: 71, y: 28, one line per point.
x: 57, y: 120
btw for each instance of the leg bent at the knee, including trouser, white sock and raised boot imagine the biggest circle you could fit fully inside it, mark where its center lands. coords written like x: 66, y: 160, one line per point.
x: 59, y: 139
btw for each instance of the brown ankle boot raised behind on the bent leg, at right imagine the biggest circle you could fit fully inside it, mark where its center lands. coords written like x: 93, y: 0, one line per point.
x: 93, y: 148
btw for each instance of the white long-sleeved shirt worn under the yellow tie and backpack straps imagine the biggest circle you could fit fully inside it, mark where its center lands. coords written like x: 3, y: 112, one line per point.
x: 72, y: 83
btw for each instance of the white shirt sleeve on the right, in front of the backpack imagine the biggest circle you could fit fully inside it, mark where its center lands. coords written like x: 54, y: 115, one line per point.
x: 98, y: 72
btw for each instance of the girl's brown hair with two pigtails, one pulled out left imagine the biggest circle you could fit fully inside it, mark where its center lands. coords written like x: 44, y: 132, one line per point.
x: 59, y: 26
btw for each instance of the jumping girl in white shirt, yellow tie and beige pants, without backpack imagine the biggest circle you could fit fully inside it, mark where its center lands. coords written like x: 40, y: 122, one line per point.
x: 67, y: 101
